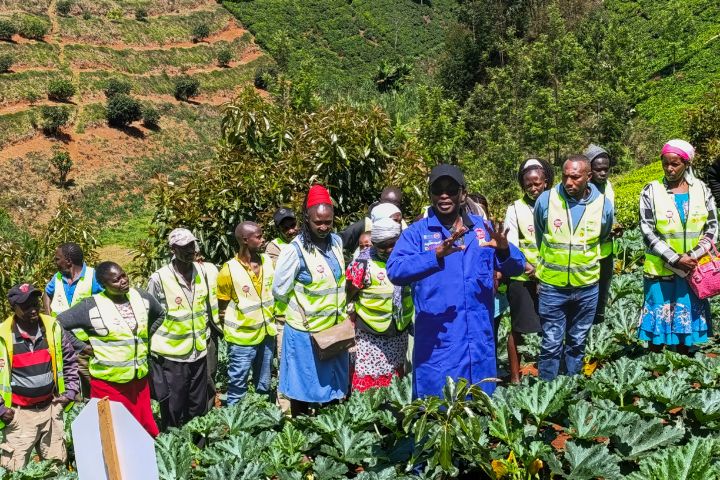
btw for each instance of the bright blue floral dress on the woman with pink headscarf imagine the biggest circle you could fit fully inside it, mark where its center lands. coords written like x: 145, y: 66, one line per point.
x: 672, y: 314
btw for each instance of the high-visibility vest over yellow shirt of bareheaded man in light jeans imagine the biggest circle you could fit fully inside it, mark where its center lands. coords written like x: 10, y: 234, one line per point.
x: 248, y: 321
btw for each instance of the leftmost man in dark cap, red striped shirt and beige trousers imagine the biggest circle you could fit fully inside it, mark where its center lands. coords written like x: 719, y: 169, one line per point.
x: 38, y: 379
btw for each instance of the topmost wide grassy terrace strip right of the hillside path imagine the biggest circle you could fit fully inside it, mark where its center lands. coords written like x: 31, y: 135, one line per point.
x: 155, y: 31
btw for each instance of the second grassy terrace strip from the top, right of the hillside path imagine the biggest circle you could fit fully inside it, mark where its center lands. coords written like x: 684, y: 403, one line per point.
x: 129, y: 61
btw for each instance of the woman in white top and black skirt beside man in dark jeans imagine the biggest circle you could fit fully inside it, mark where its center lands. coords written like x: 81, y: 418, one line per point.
x: 535, y: 176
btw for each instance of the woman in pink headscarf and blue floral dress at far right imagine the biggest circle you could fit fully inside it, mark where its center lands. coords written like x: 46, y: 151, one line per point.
x: 679, y: 225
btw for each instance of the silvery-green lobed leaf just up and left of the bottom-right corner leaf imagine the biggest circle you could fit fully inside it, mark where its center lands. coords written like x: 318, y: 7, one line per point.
x: 637, y: 439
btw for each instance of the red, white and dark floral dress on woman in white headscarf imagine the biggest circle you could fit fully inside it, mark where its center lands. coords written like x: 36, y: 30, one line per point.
x: 378, y: 358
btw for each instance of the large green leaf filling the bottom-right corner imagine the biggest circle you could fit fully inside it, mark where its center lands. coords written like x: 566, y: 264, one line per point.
x: 693, y: 461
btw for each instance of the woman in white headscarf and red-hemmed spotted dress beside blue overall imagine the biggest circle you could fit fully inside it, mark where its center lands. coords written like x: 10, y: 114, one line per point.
x: 383, y: 311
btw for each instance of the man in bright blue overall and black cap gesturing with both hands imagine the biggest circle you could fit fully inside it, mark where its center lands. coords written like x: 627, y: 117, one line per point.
x: 449, y: 258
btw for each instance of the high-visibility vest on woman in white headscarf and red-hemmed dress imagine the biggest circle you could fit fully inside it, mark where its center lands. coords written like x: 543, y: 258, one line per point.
x: 374, y: 304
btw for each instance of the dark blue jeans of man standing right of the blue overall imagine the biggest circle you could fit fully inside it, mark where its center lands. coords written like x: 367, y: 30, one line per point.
x: 565, y: 314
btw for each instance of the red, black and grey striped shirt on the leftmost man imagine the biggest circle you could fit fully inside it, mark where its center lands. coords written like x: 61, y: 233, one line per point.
x: 32, y: 379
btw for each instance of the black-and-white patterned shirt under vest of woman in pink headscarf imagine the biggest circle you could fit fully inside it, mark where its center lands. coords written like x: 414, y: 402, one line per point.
x: 656, y: 245
